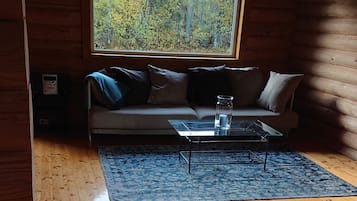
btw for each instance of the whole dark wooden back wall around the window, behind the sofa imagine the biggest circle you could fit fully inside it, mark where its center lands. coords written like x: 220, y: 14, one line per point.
x: 59, y: 42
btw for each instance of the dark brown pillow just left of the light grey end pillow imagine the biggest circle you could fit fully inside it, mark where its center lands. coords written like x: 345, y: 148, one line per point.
x: 247, y: 84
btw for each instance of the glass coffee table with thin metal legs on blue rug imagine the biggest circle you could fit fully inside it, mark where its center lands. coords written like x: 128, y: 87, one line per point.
x: 203, y: 131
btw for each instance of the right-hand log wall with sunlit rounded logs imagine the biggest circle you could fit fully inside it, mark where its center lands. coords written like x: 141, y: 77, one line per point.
x: 325, y: 49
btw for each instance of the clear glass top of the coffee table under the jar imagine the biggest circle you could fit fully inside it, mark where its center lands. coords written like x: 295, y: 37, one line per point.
x: 205, y: 128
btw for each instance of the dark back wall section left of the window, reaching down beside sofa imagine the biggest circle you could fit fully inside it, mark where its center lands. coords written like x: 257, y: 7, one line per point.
x: 55, y: 45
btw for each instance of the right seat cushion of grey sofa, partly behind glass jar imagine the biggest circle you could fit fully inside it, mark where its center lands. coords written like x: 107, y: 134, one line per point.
x: 280, y: 121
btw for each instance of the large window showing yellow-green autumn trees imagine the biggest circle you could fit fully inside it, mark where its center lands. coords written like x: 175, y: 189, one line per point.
x: 194, y: 28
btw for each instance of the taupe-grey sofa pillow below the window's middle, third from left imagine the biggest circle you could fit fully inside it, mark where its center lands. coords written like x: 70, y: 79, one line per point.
x: 167, y: 87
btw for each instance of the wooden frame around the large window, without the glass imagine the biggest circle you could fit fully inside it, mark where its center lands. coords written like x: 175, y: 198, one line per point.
x: 90, y: 50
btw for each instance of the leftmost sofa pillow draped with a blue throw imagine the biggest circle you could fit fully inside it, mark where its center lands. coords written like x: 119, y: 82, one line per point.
x: 107, y: 91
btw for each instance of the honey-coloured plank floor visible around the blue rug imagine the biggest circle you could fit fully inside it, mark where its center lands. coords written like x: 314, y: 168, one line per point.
x: 67, y: 169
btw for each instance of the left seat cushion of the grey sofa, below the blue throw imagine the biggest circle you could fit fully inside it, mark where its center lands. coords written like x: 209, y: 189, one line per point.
x: 139, y: 116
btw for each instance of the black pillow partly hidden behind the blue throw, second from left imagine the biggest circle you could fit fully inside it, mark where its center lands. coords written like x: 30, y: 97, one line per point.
x: 138, y: 82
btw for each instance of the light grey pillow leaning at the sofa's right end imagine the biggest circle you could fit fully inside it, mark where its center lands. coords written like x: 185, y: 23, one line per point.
x: 278, y: 91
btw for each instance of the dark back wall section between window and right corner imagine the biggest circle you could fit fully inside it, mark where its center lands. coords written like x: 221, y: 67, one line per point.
x: 267, y: 30
